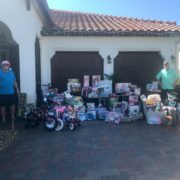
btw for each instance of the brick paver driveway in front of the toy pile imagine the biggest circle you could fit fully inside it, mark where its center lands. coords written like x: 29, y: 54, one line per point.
x: 97, y: 150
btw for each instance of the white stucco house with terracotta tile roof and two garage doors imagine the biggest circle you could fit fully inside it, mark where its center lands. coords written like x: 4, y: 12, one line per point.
x: 46, y: 45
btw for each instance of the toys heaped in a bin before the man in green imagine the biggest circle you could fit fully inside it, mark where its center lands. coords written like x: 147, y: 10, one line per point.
x: 158, y: 113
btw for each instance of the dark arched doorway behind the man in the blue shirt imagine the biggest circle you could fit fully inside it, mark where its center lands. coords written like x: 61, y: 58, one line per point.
x: 9, y: 49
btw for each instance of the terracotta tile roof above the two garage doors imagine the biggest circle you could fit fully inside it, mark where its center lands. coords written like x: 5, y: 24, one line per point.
x: 74, y: 23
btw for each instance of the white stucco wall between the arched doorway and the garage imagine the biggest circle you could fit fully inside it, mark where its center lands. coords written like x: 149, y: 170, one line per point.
x: 24, y: 26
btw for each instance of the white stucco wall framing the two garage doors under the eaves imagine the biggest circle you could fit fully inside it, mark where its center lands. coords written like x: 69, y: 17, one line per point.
x: 105, y: 46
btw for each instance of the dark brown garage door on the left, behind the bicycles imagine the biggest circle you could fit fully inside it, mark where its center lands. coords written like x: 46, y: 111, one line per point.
x: 67, y: 65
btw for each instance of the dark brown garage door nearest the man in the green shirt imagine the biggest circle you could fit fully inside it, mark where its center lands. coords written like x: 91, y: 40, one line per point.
x: 137, y: 67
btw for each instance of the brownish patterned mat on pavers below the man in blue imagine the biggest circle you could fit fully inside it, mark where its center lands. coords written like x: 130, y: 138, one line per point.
x: 7, y: 137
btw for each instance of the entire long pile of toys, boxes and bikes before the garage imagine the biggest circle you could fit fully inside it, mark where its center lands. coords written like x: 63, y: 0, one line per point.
x: 65, y: 110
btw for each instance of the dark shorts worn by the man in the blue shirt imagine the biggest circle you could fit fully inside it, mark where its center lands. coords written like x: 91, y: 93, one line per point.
x: 7, y: 99
